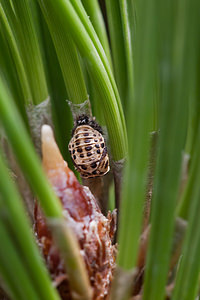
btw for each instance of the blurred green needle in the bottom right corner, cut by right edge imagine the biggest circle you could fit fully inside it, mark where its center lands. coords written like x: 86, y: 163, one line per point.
x: 187, y: 280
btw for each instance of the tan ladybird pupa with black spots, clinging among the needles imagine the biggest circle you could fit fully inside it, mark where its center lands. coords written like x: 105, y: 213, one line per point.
x: 87, y: 148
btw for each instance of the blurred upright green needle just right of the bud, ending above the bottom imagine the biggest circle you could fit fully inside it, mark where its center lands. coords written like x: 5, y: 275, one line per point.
x: 139, y: 120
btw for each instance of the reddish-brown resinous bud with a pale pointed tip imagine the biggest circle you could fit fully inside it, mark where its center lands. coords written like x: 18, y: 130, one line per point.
x: 93, y: 230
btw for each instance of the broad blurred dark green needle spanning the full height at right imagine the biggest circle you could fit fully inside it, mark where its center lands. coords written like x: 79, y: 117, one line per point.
x: 173, y: 127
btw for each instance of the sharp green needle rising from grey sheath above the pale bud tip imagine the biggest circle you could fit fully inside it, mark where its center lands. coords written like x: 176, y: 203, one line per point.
x: 28, y: 43
